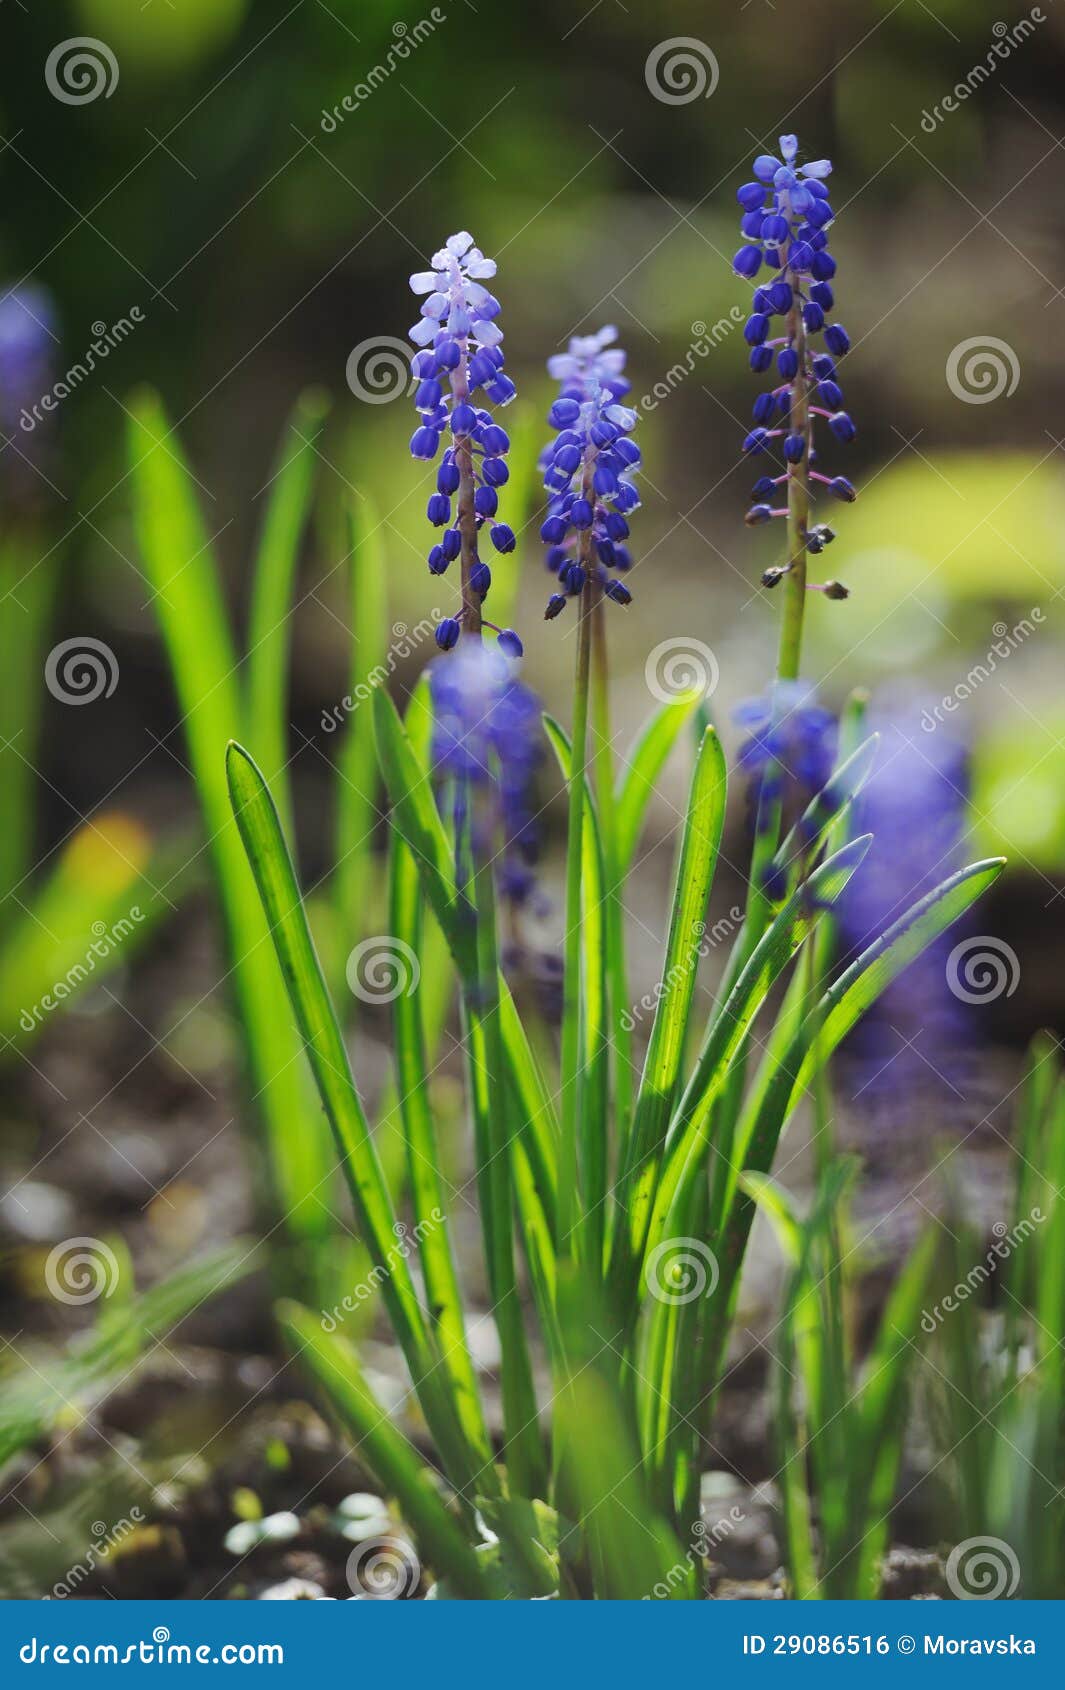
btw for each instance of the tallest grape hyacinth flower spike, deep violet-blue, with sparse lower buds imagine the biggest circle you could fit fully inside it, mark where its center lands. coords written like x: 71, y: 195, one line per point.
x: 787, y: 219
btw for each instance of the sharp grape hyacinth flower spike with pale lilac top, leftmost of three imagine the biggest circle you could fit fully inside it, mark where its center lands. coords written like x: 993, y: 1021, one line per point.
x: 461, y: 356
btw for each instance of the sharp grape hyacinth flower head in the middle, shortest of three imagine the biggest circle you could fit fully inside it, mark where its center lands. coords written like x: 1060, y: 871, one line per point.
x: 589, y: 471
